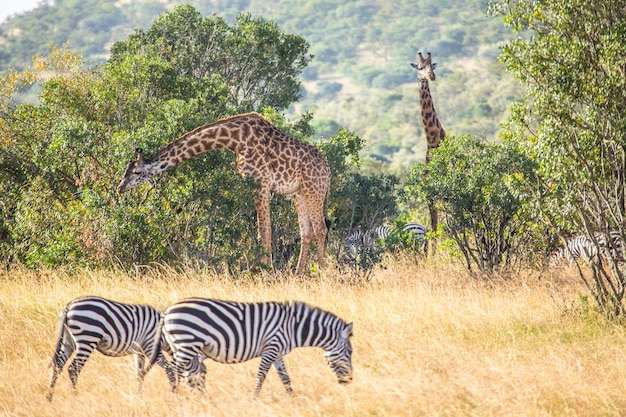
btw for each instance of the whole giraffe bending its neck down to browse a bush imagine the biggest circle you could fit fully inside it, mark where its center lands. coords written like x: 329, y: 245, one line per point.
x: 279, y: 163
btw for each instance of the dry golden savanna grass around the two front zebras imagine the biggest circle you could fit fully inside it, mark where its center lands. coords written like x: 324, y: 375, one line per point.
x: 429, y: 340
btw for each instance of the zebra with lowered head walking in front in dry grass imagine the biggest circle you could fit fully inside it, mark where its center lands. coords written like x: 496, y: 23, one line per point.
x: 231, y: 332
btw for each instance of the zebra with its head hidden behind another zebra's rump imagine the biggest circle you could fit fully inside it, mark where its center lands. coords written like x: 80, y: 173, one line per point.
x: 112, y: 328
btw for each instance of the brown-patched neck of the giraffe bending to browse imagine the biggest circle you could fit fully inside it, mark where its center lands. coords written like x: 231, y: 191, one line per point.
x: 206, y: 138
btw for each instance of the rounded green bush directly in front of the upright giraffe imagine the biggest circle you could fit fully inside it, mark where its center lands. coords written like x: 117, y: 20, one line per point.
x: 467, y: 180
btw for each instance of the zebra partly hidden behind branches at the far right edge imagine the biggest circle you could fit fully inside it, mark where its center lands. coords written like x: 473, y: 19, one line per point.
x: 582, y: 247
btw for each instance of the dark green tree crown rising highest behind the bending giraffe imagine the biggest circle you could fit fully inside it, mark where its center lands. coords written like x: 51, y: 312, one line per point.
x: 255, y: 59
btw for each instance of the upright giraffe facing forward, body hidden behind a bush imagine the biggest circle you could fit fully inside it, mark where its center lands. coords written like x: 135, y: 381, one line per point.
x: 434, y: 132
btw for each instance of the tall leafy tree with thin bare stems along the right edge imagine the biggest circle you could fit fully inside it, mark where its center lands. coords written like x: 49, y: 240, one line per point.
x: 570, y: 64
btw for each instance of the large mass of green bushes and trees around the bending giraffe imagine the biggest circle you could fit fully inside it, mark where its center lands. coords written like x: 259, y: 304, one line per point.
x: 62, y: 157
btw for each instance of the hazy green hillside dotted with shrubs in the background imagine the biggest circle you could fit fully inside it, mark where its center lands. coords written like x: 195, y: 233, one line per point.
x: 359, y: 79
